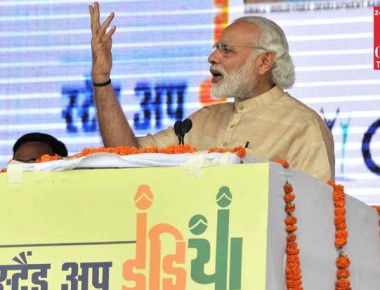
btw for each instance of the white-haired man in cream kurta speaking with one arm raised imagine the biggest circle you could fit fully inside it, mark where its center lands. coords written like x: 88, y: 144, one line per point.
x: 250, y: 63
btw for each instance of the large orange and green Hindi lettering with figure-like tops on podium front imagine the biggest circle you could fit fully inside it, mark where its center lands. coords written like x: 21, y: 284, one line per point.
x: 153, y: 265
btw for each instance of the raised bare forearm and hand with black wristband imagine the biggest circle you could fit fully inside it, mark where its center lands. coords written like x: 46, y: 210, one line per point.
x: 113, y: 124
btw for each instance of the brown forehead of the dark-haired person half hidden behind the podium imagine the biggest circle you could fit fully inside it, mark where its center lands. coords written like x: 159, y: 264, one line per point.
x: 30, y: 151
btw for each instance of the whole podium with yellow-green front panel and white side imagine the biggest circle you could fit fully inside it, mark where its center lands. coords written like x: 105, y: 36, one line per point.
x: 218, y: 227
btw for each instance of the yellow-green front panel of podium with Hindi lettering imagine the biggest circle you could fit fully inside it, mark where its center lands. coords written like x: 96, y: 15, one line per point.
x: 149, y: 228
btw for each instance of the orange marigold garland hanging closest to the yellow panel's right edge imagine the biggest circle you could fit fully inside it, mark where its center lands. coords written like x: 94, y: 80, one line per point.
x: 293, y: 266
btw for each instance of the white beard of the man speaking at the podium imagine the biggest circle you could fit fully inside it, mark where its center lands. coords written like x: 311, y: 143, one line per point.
x: 238, y: 84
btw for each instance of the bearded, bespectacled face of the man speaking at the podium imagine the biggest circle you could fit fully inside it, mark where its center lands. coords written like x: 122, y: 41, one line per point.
x: 233, y: 62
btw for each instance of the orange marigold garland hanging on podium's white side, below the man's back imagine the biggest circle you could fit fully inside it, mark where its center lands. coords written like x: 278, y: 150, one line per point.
x: 341, y: 236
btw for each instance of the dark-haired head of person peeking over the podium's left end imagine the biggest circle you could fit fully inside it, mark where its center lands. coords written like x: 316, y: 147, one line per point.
x: 31, y: 146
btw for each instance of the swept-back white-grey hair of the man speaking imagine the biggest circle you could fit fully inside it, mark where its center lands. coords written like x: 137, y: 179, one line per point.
x: 273, y: 38
